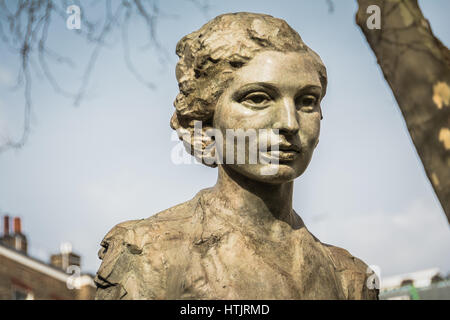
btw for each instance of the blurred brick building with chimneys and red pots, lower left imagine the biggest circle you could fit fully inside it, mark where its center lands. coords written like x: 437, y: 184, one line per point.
x: 24, y: 277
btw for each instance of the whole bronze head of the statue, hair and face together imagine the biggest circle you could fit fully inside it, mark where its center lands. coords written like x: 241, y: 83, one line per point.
x: 254, y: 73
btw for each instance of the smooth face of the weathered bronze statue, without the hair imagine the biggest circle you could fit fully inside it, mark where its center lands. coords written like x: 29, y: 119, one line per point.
x: 274, y: 100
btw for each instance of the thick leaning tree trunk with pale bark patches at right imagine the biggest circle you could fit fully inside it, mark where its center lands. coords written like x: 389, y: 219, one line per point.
x: 416, y: 66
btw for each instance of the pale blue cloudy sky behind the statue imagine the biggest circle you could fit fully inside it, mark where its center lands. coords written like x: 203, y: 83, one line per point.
x: 85, y: 169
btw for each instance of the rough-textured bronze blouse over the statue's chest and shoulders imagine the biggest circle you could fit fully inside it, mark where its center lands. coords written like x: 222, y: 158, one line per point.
x: 192, y: 251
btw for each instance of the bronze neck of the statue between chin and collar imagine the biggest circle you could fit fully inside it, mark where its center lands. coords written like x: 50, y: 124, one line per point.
x: 256, y: 201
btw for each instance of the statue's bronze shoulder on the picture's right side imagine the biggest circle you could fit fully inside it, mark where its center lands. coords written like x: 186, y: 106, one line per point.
x: 353, y: 273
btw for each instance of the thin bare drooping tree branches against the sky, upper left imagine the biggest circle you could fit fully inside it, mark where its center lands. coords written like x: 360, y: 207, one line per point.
x: 24, y: 29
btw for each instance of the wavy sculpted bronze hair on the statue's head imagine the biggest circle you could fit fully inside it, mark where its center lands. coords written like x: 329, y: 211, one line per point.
x: 207, y: 55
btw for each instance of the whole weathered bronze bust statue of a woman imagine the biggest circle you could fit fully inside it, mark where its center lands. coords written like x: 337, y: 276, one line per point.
x: 240, y: 239
